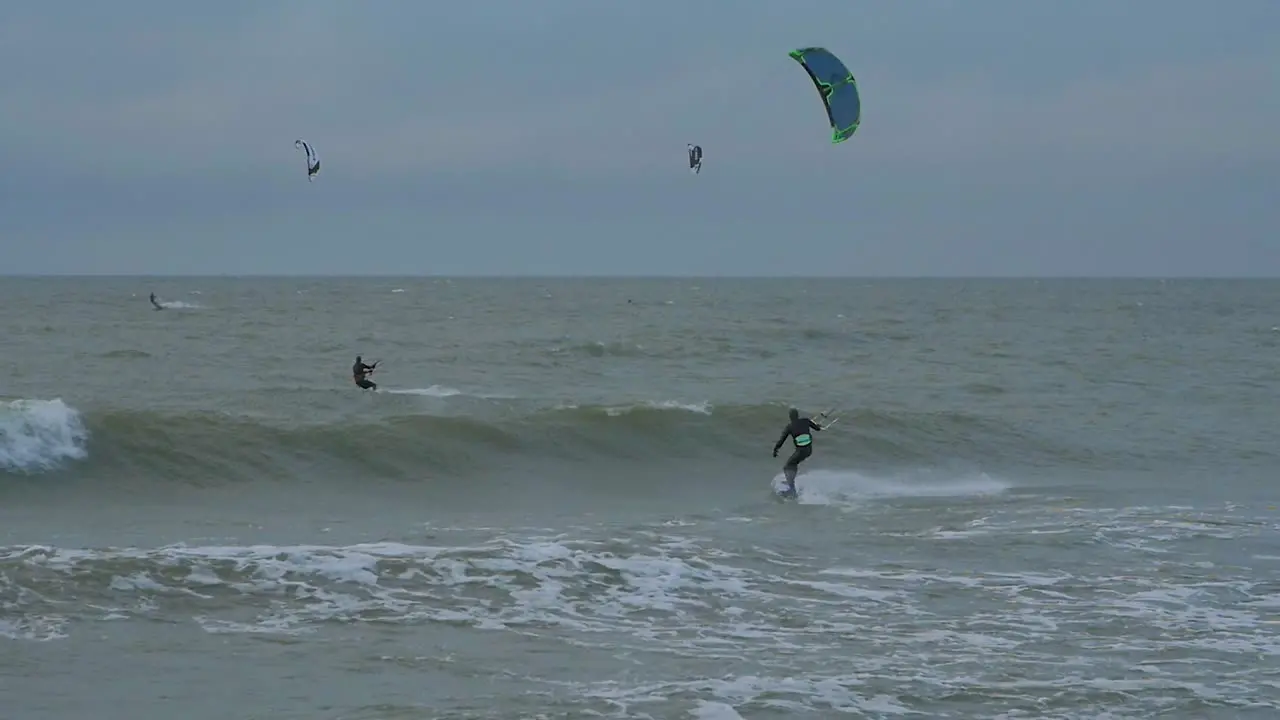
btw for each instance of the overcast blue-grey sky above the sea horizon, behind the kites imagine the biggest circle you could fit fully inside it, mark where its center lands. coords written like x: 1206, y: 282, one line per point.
x: 999, y: 138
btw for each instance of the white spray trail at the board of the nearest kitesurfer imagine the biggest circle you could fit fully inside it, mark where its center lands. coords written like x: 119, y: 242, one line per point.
x: 843, y: 487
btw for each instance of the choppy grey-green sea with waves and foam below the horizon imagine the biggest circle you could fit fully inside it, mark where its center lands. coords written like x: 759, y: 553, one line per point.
x: 1043, y: 499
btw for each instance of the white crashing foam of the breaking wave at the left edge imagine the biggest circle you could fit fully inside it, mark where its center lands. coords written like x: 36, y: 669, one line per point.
x: 40, y: 435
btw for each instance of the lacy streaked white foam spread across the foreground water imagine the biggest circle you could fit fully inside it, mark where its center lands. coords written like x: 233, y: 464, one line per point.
x: 664, y: 590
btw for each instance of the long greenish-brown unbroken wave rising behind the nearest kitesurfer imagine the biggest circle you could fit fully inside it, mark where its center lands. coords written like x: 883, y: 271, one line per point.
x: 213, y: 449
